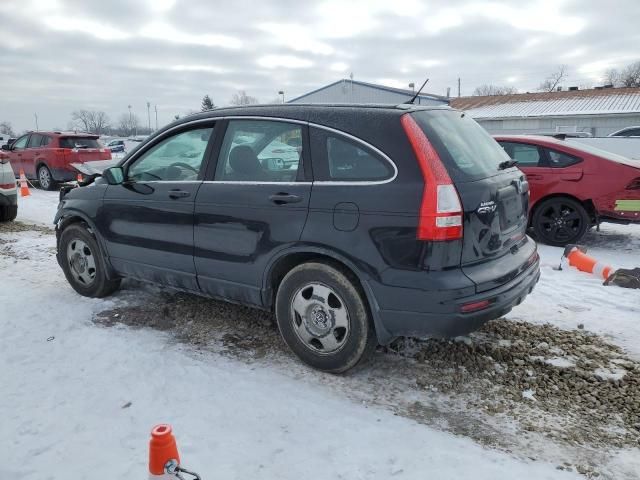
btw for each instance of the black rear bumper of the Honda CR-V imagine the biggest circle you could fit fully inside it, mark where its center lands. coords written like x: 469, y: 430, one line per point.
x: 449, y: 321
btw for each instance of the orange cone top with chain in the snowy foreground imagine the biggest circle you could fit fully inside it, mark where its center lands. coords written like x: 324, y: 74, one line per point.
x: 164, y: 460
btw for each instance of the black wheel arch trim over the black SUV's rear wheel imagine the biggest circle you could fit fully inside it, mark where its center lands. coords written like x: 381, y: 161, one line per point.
x: 285, y: 261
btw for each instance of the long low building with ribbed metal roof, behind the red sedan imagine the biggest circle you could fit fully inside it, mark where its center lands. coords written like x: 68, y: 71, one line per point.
x: 598, y: 111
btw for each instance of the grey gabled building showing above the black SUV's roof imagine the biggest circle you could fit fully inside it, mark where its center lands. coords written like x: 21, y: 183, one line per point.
x: 353, y: 91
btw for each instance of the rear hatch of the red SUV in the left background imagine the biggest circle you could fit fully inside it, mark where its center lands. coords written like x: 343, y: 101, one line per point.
x: 85, y: 153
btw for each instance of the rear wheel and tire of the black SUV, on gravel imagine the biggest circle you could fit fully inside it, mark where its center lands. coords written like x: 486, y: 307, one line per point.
x: 324, y: 319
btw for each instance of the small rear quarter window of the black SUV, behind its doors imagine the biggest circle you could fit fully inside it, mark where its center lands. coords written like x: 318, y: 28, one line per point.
x: 349, y: 160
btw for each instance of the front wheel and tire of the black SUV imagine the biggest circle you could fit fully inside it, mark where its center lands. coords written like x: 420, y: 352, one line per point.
x: 83, y: 263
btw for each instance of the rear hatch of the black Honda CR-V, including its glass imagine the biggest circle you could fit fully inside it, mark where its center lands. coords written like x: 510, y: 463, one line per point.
x: 494, y: 197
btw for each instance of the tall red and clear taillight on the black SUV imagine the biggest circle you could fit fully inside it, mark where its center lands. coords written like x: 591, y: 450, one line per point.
x: 441, y: 210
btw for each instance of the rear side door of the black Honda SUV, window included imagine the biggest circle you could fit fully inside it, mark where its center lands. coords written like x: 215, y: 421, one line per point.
x: 253, y: 206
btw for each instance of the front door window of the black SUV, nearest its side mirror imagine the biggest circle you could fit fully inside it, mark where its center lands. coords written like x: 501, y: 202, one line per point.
x: 177, y: 158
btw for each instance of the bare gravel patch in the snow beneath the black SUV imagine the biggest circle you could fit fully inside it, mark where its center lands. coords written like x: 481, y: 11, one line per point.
x: 571, y: 387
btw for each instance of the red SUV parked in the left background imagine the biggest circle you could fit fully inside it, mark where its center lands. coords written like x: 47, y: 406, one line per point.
x: 49, y: 157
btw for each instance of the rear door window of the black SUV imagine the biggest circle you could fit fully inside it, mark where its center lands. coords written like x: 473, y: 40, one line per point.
x: 260, y: 151
